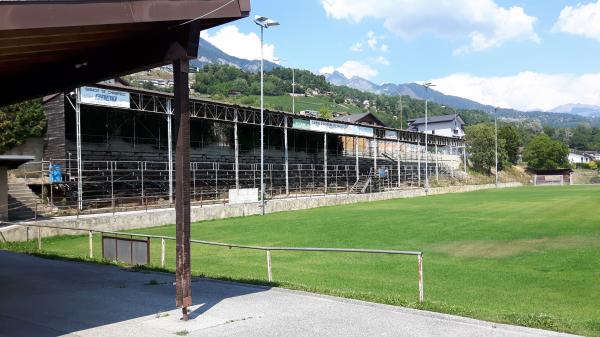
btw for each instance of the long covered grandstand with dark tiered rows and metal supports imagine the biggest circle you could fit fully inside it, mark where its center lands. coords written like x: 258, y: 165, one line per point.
x: 125, y: 151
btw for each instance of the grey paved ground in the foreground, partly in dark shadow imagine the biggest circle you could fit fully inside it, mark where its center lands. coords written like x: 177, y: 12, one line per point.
x: 41, y: 297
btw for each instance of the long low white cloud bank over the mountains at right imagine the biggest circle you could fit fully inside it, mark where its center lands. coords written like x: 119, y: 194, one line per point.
x: 525, y: 90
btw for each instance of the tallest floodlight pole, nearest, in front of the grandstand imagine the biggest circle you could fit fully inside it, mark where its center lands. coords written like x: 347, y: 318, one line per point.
x: 263, y: 22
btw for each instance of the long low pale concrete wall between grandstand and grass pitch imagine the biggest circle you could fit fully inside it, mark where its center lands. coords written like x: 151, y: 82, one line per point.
x: 151, y: 218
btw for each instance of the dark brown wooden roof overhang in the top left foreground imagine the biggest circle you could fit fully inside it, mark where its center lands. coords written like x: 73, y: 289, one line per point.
x: 52, y: 46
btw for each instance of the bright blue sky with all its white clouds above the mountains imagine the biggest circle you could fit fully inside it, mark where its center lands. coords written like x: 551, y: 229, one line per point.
x: 526, y: 54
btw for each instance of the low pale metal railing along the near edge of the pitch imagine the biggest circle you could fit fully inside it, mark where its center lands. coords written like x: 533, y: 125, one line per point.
x: 267, y: 249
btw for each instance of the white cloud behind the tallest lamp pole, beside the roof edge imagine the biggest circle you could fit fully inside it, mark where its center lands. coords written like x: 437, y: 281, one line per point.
x: 235, y: 43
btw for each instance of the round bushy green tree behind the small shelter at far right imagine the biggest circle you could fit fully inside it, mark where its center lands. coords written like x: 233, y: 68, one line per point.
x: 544, y: 152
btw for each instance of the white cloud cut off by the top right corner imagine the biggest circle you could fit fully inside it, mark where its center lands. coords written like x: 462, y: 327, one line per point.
x: 583, y: 20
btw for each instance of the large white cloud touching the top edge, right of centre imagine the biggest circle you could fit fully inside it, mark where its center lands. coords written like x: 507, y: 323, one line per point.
x: 483, y: 22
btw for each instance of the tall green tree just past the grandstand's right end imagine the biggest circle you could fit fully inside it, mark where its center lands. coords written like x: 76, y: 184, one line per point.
x: 481, y: 142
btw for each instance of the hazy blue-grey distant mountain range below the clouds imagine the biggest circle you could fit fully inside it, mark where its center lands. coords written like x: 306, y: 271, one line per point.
x: 570, y: 114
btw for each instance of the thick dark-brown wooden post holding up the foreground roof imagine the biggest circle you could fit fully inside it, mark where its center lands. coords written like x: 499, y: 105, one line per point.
x: 182, y: 188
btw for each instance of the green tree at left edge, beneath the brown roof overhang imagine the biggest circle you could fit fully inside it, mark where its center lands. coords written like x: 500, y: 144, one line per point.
x: 19, y: 122
